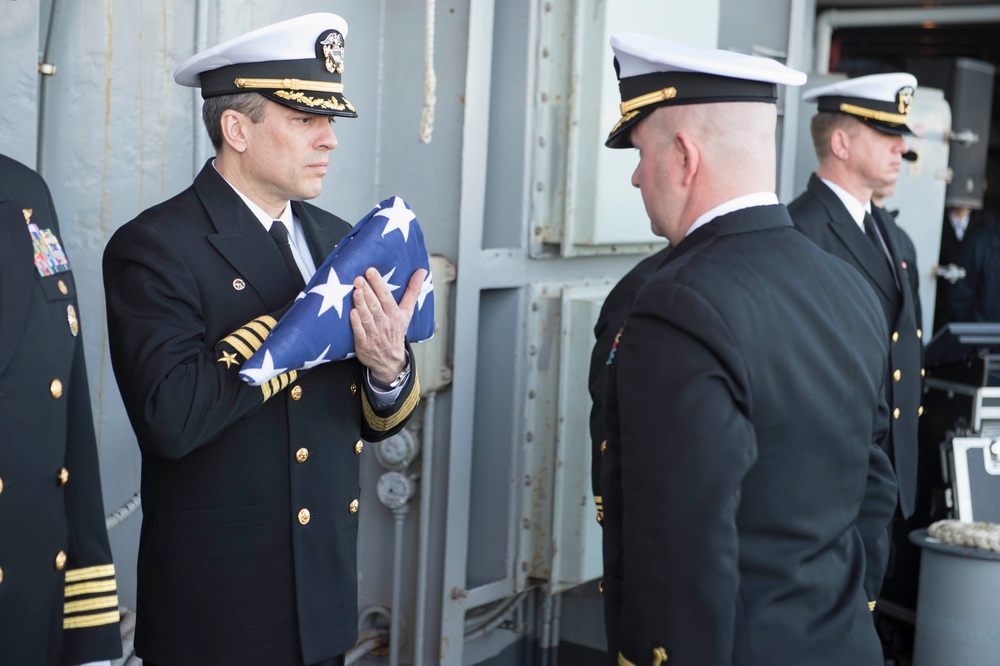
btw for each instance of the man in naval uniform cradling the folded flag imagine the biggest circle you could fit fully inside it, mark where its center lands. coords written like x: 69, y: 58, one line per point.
x: 248, y: 551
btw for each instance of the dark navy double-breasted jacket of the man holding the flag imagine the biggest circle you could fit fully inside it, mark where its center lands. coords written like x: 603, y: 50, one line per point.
x: 248, y: 550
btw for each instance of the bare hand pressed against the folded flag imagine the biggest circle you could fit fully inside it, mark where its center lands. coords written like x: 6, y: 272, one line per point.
x: 380, y: 325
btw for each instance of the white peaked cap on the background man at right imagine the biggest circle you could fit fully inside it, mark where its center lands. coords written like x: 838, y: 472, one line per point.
x: 880, y: 100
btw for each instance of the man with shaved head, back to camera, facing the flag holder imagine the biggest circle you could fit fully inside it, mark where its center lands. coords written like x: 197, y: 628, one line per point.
x: 745, y: 492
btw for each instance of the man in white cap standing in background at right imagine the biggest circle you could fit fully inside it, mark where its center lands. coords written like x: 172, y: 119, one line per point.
x: 858, y: 133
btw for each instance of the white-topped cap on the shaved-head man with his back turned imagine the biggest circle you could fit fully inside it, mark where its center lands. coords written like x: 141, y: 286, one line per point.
x: 654, y: 73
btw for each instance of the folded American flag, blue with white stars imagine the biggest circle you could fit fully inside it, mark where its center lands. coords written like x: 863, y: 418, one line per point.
x: 317, y: 328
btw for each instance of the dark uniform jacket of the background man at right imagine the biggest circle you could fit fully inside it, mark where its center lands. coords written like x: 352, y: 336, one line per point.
x: 822, y: 217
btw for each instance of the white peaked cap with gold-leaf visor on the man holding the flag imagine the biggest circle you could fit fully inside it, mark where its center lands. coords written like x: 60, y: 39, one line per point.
x: 297, y: 63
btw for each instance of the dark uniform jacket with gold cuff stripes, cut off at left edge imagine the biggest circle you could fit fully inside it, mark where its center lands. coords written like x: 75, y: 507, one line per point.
x: 58, y: 599
